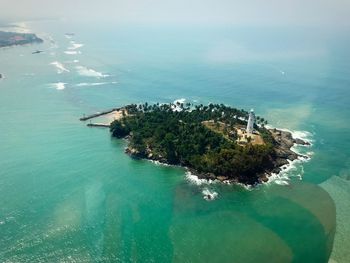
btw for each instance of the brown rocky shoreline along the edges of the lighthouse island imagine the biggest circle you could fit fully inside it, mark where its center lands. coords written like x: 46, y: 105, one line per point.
x: 283, y: 155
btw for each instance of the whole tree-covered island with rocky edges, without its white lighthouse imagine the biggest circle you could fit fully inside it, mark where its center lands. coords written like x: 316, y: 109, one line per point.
x: 209, y: 141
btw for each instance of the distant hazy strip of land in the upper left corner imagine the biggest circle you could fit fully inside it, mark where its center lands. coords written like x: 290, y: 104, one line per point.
x: 12, y: 38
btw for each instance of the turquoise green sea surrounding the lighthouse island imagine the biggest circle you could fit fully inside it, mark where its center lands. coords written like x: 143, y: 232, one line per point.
x: 69, y: 193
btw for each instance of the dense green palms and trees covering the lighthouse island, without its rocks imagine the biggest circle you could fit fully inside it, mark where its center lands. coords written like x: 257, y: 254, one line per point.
x: 183, y: 137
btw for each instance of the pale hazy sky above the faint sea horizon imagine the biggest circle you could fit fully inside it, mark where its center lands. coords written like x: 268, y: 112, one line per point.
x: 237, y: 12
